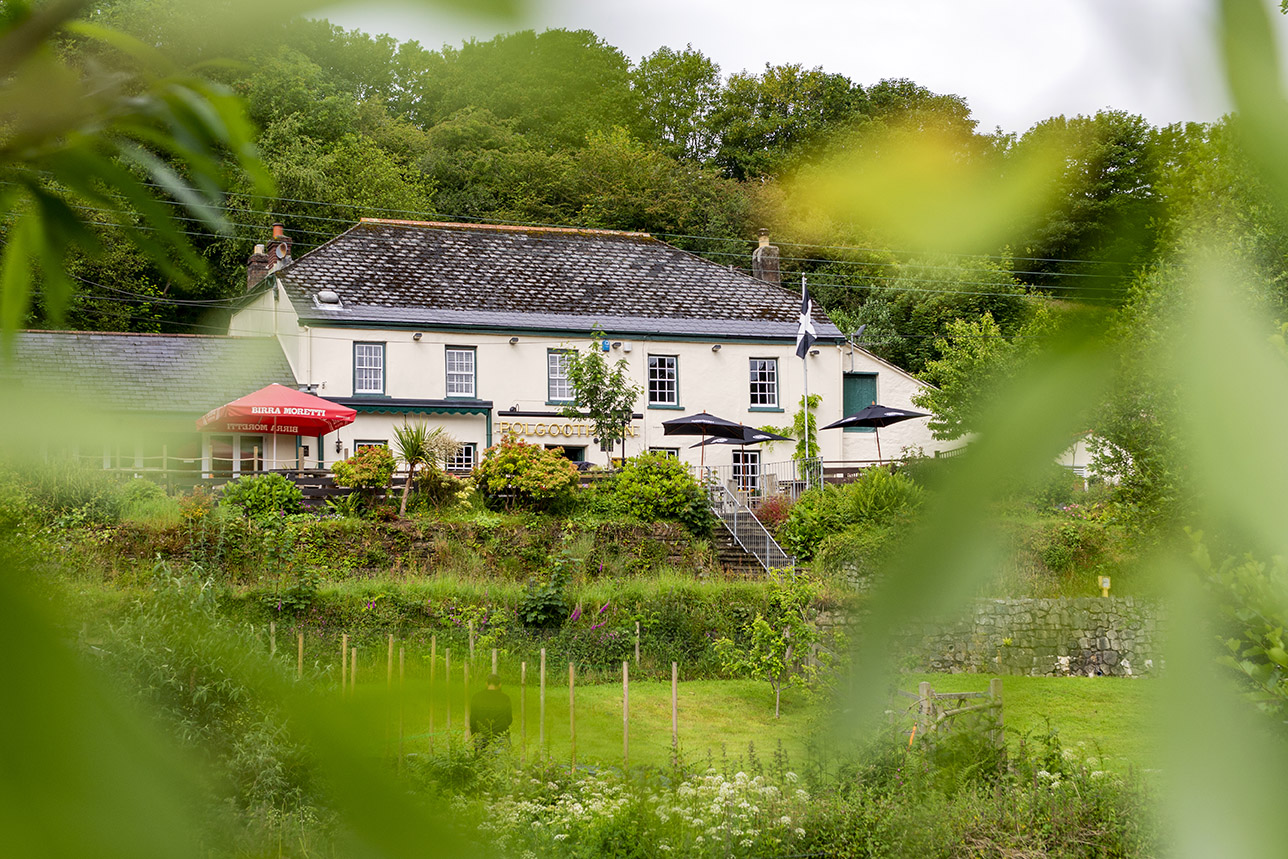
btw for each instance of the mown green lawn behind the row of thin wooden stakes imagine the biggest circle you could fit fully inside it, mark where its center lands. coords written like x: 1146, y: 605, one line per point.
x: 1110, y: 718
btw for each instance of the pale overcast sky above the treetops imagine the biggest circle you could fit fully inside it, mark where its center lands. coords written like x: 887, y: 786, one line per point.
x: 1016, y: 61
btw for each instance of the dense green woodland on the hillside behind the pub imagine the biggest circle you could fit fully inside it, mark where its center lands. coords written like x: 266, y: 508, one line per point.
x: 561, y: 128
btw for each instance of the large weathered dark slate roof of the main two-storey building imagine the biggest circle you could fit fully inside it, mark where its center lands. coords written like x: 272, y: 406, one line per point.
x: 413, y: 274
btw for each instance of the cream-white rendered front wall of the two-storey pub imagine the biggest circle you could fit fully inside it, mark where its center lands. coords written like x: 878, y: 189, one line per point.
x: 515, y: 378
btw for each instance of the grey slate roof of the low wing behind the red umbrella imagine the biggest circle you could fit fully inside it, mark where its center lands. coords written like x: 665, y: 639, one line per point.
x: 147, y: 373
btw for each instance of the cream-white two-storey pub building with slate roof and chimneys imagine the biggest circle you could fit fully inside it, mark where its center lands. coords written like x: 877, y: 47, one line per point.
x: 468, y: 328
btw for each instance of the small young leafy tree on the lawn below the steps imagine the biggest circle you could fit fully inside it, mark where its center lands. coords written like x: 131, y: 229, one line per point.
x: 780, y: 639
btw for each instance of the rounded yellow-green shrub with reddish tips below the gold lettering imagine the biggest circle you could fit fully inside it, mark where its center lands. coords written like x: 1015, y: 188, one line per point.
x: 515, y: 475
